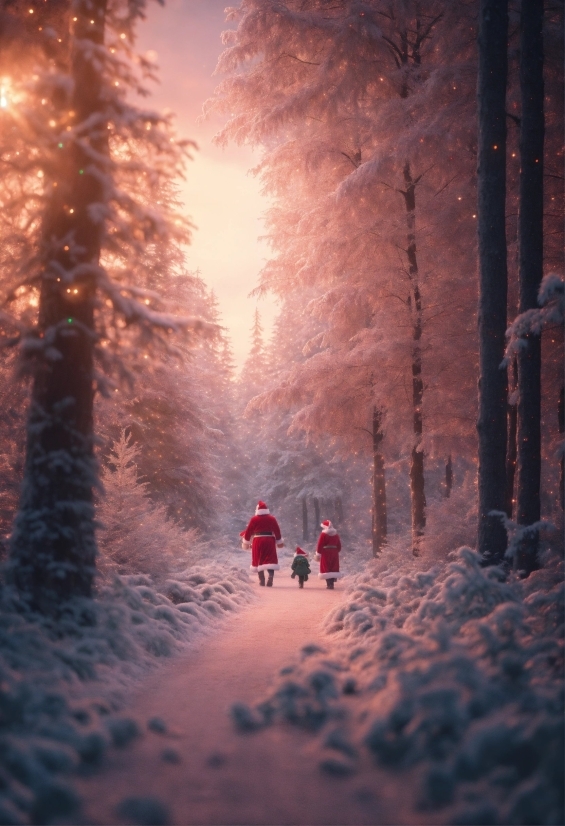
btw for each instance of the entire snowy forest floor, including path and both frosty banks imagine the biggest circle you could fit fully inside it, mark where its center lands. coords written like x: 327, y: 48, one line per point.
x: 411, y: 694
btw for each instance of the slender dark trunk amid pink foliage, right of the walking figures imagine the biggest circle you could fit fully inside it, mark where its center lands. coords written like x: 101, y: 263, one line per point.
x: 417, y: 487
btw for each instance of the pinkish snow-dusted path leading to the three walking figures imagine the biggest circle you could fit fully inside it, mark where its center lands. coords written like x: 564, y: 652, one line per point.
x: 221, y: 777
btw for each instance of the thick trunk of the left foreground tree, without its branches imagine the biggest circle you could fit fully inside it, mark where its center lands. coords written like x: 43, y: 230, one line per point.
x: 53, y: 548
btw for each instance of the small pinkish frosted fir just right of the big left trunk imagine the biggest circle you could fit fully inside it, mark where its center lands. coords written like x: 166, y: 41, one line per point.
x: 137, y: 535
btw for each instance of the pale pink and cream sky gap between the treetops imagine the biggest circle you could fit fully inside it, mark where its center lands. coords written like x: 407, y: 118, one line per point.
x: 222, y: 199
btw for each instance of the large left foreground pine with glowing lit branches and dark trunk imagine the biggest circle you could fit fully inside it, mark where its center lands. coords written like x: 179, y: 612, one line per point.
x: 77, y: 154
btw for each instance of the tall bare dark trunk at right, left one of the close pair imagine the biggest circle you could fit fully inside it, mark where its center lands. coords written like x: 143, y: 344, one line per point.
x: 493, y: 278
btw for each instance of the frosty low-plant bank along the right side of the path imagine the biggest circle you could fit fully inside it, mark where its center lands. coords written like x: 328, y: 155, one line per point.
x: 453, y: 674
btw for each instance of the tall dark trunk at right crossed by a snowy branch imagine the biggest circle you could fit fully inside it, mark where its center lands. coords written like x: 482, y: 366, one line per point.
x: 530, y: 232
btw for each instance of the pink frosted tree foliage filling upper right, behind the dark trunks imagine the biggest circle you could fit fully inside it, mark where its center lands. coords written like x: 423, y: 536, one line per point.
x: 366, y: 116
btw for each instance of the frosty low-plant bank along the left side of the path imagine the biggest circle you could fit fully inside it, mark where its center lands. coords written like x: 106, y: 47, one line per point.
x: 62, y: 683
